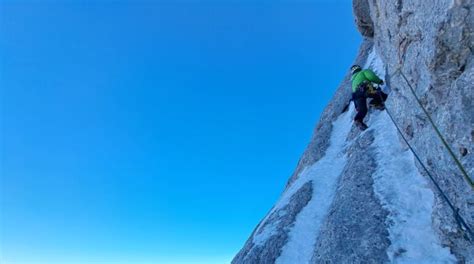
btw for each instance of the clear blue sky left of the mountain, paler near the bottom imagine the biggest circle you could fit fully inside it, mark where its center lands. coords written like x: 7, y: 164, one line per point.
x: 156, y: 132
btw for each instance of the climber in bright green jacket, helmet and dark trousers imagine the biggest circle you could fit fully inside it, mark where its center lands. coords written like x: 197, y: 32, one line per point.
x: 362, y: 88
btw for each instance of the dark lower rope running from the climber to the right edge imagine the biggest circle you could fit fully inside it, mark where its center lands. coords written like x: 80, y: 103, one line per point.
x: 459, y: 219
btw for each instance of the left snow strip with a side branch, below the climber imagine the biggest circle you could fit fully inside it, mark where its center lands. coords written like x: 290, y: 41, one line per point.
x: 324, y: 175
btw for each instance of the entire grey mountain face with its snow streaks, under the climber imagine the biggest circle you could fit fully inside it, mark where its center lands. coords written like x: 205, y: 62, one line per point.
x: 380, y: 206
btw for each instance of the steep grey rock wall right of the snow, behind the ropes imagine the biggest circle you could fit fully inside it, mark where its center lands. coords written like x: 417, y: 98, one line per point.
x: 433, y: 44
